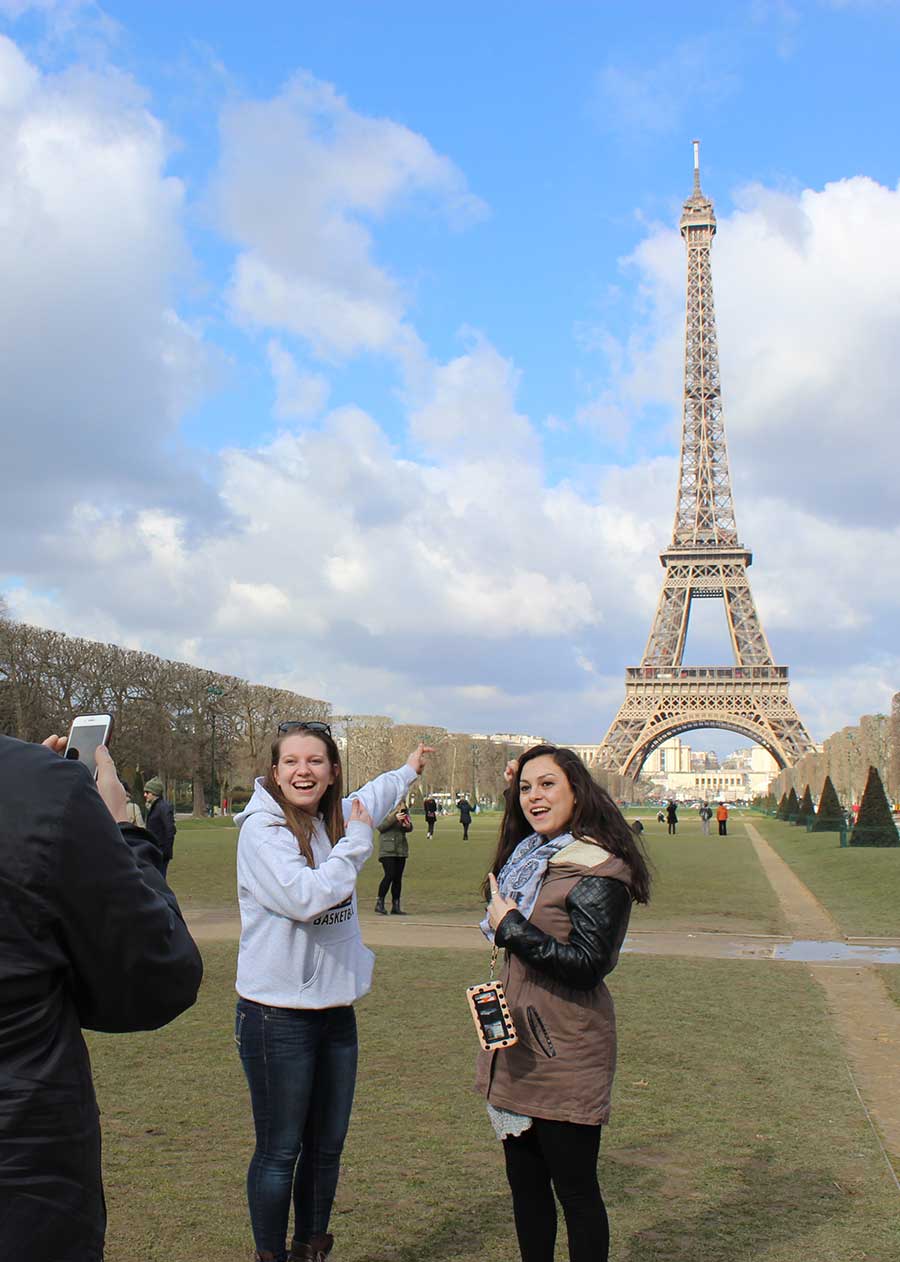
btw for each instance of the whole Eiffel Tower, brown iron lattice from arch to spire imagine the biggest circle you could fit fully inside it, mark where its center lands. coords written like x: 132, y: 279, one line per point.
x: 663, y: 699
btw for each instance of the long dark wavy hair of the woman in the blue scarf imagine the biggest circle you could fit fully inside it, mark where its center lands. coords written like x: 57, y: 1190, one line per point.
x: 596, y: 820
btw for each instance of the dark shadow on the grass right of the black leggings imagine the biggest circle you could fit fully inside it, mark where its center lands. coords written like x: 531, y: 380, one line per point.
x: 772, y: 1206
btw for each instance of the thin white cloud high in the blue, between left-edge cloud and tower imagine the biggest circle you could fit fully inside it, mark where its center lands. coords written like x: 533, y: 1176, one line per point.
x: 301, y: 179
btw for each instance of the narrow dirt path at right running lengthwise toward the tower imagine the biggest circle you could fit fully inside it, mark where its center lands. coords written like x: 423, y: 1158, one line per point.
x: 865, y: 1018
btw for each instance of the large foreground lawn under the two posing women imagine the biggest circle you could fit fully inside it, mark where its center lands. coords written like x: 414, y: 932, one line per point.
x: 735, y: 1139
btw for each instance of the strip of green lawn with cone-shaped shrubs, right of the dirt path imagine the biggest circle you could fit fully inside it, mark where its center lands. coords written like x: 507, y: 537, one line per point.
x: 860, y: 887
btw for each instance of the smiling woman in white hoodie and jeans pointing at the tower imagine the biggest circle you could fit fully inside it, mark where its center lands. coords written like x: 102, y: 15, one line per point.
x: 301, y: 967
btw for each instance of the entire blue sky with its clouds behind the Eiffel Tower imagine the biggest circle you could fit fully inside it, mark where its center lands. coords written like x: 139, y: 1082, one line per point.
x: 345, y: 340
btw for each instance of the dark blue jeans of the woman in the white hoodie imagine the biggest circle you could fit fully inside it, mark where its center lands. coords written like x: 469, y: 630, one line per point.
x: 301, y: 1067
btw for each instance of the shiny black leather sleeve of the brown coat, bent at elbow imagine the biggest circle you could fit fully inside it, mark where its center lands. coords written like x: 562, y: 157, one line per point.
x: 599, y: 909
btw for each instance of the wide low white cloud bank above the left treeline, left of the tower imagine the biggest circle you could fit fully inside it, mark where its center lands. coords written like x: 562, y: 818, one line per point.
x: 354, y: 572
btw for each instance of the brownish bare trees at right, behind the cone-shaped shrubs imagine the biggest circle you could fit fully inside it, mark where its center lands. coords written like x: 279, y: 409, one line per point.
x: 846, y: 758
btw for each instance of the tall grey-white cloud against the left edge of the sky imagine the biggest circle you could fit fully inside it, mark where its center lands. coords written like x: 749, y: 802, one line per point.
x: 97, y: 368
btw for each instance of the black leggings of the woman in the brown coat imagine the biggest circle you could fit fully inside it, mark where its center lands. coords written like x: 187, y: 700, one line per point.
x: 559, y: 1157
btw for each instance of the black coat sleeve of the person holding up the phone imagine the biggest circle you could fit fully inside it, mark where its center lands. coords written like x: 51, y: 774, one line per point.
x: 133, y: 962
